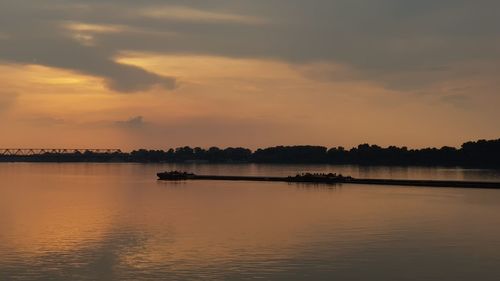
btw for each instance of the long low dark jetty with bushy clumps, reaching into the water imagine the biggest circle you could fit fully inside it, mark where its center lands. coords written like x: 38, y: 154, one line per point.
x: 329, y: 179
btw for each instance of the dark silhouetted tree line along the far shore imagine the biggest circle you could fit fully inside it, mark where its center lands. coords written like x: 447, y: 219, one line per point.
x: 481, y: 153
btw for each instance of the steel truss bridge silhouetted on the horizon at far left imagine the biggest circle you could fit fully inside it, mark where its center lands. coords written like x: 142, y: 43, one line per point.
x: 41, y: 151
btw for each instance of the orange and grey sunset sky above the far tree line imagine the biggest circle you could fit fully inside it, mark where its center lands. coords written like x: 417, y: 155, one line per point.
x: 157, y: 74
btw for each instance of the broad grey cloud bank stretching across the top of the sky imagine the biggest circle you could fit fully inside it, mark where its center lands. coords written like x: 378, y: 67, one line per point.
x: 400, y: 43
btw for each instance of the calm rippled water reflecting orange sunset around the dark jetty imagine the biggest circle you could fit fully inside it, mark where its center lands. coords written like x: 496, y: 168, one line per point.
x: 116, y: 222
